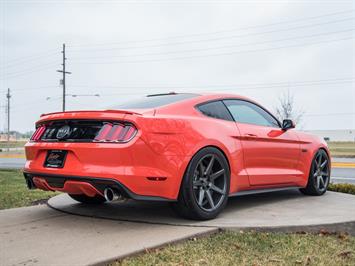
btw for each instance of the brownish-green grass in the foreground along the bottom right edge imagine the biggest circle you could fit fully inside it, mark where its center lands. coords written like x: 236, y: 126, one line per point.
x: 232, y: 248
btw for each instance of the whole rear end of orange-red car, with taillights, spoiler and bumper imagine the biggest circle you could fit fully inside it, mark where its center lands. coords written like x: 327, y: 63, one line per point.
x: 85, y: 152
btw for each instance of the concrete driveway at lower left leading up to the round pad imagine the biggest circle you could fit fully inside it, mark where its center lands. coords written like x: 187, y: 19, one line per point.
x: 40, y: 235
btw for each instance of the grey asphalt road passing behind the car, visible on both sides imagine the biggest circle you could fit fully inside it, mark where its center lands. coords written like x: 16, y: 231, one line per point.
x: 339, y: 175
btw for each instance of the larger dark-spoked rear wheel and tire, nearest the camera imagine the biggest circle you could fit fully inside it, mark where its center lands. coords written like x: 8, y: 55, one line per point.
x: 205, y: 186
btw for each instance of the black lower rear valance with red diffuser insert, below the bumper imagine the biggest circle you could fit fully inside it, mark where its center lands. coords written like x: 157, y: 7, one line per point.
x: 89, y: 186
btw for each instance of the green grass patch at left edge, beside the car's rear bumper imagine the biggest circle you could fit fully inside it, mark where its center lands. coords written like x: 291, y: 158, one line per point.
x: 14, y: 193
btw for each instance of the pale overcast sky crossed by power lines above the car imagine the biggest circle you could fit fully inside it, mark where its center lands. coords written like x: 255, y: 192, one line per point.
x: 124, y: 49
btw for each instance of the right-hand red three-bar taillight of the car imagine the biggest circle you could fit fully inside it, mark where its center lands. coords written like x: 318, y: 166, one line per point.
x: 116, y: 133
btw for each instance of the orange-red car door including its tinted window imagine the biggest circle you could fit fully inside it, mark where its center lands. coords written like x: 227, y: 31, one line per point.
x: 271, y: 155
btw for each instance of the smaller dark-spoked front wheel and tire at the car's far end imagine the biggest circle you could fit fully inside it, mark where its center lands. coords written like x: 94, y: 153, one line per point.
x: 319, y: 175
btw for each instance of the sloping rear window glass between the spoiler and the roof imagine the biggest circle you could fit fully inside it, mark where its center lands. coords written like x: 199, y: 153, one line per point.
x: 153, y: 101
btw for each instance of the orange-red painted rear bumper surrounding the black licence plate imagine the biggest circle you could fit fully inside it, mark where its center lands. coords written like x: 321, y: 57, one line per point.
x: 133, y: 167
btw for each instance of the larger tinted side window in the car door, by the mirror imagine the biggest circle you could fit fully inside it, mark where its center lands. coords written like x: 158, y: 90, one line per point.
x: 249, y: 113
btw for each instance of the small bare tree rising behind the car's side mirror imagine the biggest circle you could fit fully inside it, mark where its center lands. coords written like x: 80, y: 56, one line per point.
x: 286, y: 109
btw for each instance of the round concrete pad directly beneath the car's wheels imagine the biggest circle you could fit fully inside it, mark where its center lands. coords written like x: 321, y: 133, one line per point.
x: 269, y: 210
